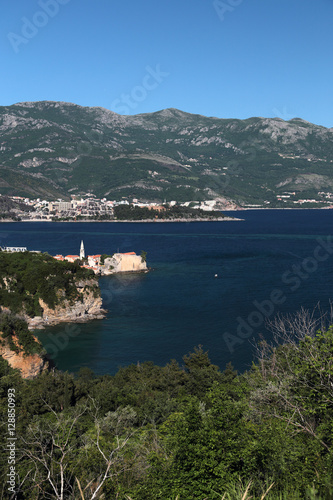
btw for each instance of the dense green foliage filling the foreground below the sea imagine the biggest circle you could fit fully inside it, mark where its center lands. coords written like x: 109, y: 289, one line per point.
x: 185, y: 431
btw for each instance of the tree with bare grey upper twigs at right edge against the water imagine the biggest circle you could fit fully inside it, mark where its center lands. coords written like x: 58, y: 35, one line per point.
x: 294, y: 382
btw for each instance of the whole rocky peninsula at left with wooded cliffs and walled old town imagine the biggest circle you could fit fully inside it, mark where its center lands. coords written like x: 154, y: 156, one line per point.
x: 39, y: 290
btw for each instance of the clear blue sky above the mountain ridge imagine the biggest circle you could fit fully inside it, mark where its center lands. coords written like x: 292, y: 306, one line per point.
x: 223, y: 58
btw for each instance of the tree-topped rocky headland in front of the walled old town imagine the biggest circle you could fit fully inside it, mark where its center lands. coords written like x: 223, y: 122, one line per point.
x: 44, y: 291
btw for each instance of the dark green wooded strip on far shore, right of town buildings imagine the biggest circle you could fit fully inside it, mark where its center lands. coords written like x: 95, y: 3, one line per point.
x: 131, y: 212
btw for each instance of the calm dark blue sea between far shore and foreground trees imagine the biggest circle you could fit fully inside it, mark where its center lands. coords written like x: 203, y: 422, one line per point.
x: 271, y: 255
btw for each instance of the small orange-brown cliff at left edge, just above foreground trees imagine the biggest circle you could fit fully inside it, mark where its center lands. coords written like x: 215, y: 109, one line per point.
x: 29, y: 365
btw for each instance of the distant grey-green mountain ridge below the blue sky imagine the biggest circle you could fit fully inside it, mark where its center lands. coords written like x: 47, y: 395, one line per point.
x: 54, y: 149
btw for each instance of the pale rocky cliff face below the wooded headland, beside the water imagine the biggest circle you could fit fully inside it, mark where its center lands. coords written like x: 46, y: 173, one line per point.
x: 88, y: 306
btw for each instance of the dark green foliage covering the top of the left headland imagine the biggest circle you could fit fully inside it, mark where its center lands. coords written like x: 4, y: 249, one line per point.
x: 25, y: 277
